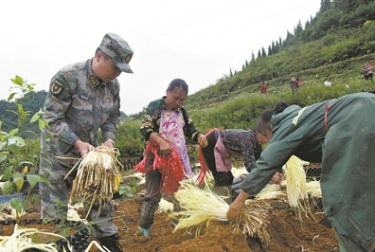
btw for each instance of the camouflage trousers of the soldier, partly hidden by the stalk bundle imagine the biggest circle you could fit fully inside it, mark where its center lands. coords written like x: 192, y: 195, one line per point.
x: 55, y: 196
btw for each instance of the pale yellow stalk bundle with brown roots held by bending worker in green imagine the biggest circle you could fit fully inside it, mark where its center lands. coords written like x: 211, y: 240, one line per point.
x: 200, y: 206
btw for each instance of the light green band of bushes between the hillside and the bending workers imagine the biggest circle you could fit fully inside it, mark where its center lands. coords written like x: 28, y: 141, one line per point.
x: 243, y: 110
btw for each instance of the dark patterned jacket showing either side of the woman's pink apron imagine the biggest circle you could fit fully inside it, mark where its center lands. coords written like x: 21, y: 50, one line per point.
x: 152, y: 115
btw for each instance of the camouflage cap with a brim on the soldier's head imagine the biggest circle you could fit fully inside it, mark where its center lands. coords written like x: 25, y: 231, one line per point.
x: 119, y: 51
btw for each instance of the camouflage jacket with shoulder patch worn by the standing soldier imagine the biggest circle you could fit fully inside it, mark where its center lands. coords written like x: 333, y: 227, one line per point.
x: 77, y: 105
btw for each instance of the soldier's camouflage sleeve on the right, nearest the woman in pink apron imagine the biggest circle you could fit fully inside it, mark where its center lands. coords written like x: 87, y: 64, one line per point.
x: 109, y: 127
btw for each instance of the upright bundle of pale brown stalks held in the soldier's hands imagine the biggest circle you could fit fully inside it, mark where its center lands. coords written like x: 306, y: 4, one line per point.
x: 96, y: 176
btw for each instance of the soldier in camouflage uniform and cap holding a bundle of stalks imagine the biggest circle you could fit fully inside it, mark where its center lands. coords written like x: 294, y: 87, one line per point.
x: 82, y: 99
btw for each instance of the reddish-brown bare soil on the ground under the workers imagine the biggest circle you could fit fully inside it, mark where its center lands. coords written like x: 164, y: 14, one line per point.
x: 287, y: 232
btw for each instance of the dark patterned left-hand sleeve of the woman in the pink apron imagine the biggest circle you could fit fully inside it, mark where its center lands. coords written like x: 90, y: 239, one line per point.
x: 151, y: 116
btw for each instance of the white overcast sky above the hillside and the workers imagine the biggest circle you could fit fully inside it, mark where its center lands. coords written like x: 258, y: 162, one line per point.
x: 196, y: 40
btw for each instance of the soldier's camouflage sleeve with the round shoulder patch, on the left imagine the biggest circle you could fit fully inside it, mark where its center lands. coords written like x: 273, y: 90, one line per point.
x: 57, y: 103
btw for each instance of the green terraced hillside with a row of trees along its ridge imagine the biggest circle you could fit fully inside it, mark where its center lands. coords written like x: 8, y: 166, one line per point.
x: 334, y: 44
